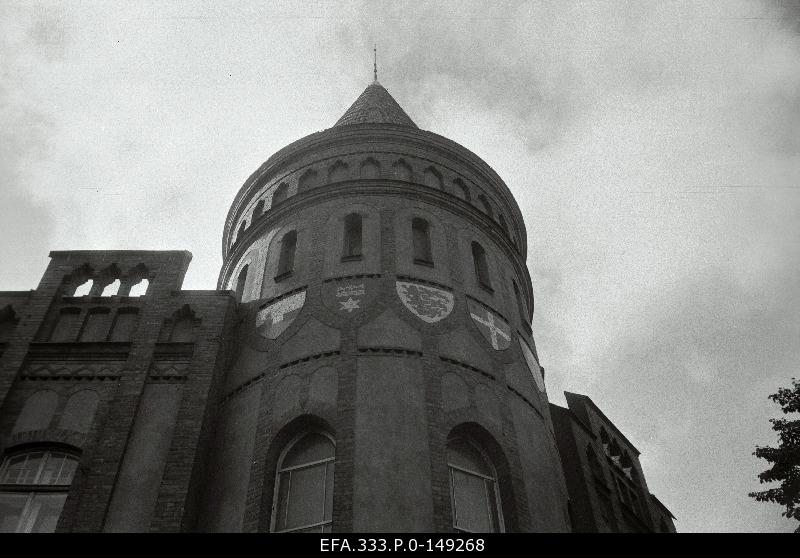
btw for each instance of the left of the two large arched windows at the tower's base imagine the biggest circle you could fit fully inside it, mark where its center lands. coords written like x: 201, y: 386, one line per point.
x: 304, y: 485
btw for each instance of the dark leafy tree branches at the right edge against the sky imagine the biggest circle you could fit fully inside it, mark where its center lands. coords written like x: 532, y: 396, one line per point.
x: 785, y: 458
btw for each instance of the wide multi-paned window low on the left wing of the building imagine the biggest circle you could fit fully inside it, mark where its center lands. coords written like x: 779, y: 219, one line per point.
x: 34, y: 487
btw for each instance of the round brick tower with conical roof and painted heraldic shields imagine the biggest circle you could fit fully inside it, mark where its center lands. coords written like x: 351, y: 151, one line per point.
x: 384, y: 376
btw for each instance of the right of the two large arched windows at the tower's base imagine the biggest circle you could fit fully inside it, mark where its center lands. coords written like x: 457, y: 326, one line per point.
x: 473, y: 488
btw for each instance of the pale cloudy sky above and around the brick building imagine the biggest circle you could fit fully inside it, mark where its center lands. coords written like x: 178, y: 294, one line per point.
x: 654, y: 149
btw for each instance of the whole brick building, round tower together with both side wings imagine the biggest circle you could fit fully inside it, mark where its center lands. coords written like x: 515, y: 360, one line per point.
x: 366, y: 363
